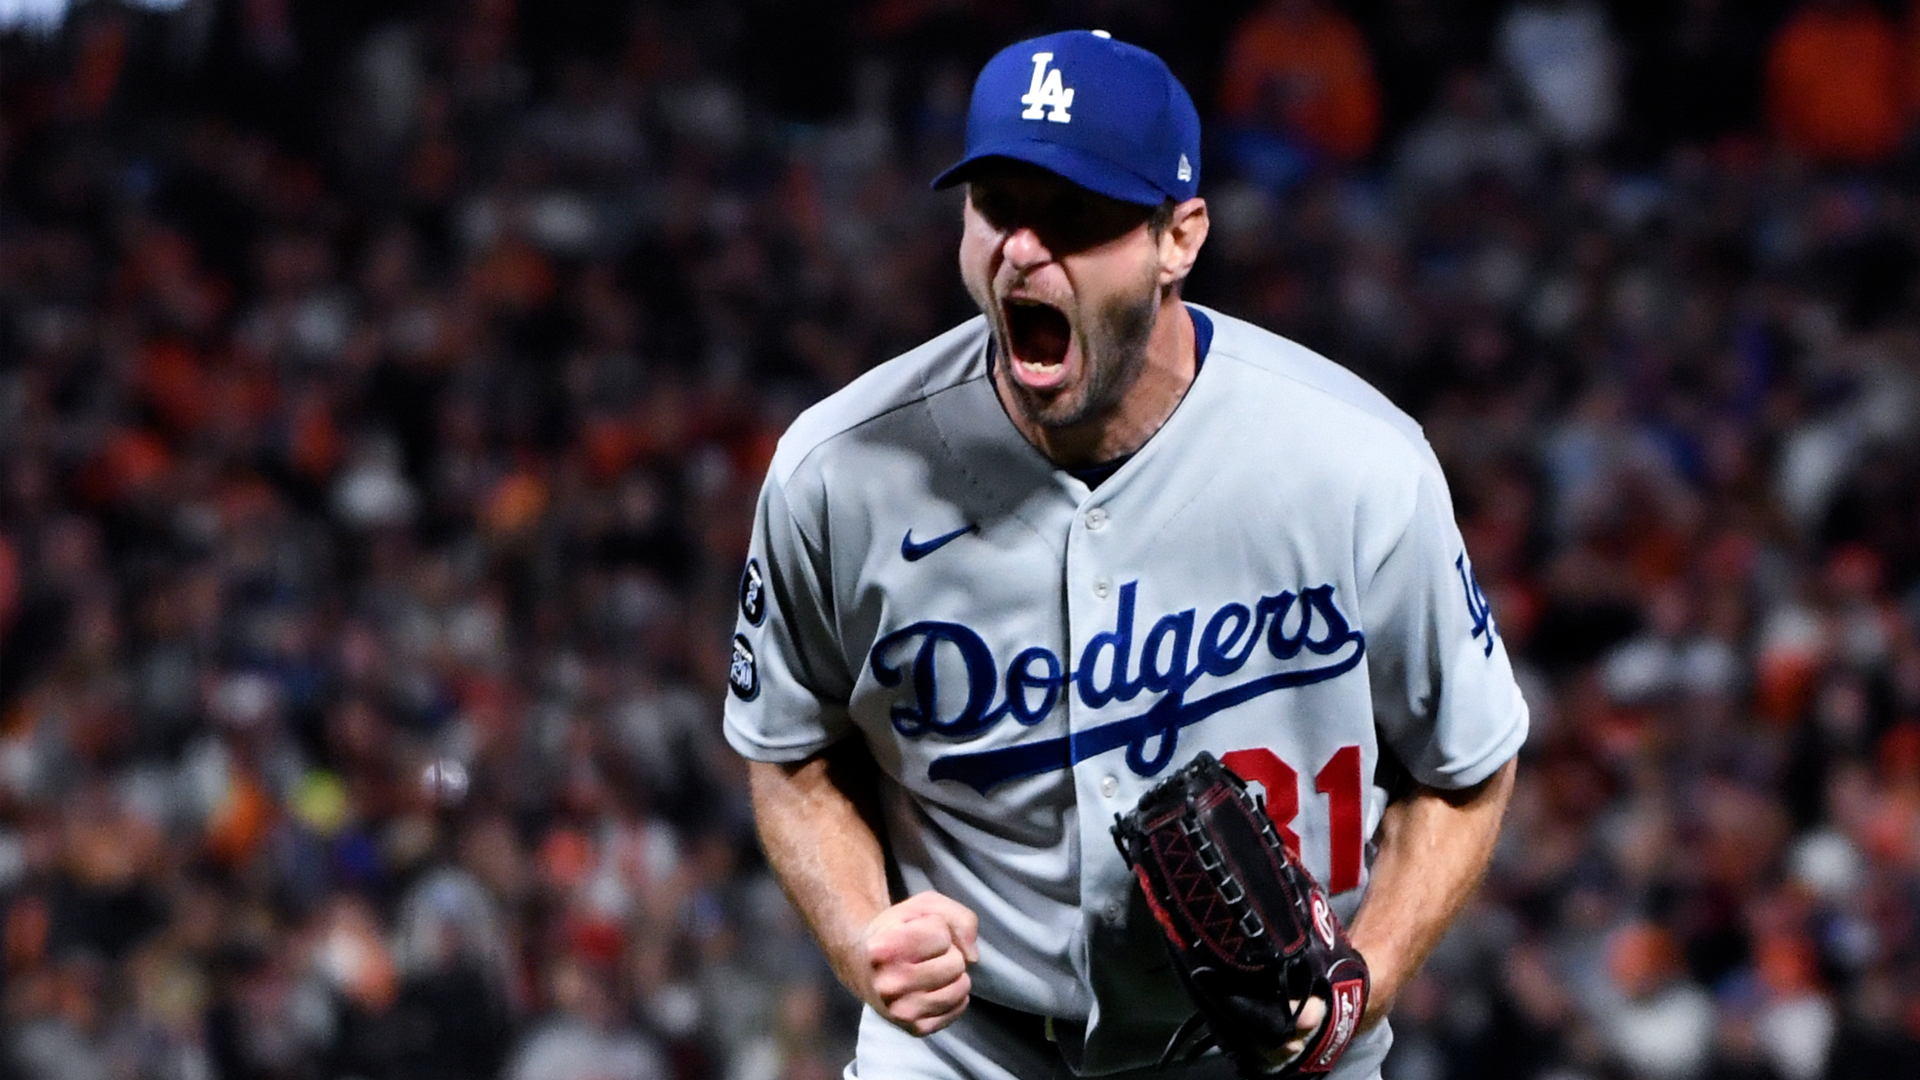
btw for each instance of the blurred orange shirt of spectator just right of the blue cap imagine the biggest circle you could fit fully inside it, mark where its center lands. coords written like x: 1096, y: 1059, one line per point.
x: 1303, y: 68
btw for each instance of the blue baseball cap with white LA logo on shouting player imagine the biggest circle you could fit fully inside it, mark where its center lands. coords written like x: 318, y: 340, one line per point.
x: 1103, y: 114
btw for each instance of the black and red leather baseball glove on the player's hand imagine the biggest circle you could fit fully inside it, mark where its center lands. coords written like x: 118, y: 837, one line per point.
x: 1249, y: 929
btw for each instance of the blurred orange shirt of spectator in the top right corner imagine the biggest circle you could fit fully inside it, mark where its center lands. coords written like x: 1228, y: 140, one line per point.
x: 1835, y: 84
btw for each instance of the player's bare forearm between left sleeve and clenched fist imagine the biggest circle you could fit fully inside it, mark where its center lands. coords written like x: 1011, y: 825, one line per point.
x: 825, y: 852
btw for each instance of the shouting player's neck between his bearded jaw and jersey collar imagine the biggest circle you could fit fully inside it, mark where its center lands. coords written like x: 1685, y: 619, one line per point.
x: 1164, y: 380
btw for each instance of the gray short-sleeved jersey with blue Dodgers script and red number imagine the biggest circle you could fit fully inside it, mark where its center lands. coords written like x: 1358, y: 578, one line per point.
x: 1276, y: 577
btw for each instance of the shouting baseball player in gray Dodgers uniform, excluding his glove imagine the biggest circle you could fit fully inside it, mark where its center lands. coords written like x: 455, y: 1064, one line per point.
x: 1003, y: 583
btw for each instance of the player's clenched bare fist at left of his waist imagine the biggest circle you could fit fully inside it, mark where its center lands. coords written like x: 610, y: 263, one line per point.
x: 915, y: 958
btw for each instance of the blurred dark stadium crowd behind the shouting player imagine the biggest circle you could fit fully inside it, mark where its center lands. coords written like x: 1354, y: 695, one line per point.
x: 385, y: 387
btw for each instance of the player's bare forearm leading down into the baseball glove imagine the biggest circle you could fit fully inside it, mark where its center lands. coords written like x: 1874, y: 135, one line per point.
x: 1435, y: 848
